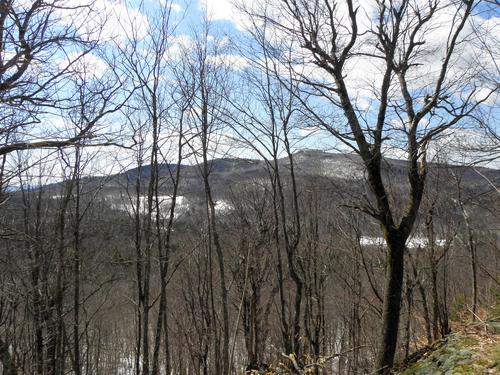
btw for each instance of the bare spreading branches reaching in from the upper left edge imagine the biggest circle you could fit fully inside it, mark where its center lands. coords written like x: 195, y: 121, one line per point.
x: 40, y: 44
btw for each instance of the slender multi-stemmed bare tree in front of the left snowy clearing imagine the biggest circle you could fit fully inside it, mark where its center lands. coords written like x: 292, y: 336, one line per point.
x: 157, y: 114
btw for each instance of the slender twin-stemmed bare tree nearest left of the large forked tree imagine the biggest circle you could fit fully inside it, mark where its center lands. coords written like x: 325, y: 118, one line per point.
x: 266, y: 122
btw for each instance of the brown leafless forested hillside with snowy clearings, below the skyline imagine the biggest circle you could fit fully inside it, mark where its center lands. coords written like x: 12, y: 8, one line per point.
x: 340, y: 256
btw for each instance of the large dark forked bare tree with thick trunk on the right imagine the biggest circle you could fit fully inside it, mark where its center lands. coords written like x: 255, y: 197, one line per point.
x: 330, y: 37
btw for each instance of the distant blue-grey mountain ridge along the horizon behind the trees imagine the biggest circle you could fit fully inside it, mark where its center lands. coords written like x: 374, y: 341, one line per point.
x: 308, y: 164
